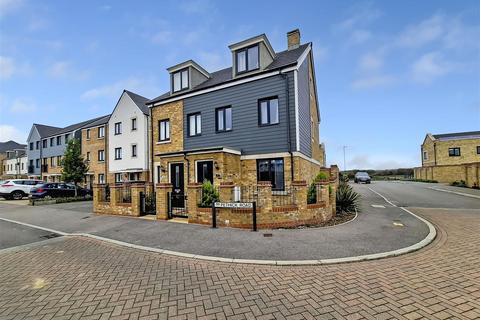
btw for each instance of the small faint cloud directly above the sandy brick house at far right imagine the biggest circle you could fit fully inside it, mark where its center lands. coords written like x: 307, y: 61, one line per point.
x: 429, y: 67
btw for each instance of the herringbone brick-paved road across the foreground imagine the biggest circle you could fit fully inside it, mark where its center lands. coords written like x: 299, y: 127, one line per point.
x: 73, y: 278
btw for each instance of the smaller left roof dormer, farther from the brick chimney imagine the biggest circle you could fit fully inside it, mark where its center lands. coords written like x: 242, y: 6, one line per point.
x: 186, y: 76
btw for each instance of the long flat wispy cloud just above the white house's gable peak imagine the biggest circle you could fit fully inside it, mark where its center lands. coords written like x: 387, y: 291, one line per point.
x: 140, y: 86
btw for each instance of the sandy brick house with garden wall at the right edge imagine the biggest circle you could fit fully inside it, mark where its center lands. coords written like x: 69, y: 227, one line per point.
x: 451, y: 157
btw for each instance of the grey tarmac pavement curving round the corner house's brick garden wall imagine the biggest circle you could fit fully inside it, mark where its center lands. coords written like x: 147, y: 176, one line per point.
x: 378, y: 229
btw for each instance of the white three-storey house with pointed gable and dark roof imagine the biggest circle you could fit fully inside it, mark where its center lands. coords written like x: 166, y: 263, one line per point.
x: 128, y: 144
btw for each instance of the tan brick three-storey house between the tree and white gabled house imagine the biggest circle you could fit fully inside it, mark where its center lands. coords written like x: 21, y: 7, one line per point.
x: 95, y: 150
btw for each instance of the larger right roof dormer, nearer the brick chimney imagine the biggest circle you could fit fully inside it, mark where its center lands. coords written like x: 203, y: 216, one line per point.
x: 251, y: 55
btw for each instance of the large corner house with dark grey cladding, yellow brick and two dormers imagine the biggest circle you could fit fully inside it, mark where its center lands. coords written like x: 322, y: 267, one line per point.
x: 257, y: 120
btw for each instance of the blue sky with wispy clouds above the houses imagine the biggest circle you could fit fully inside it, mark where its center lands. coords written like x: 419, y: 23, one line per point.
x: 387, y: 72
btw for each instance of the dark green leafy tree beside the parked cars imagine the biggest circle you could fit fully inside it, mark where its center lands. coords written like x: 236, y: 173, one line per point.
x: 74, y: 167
